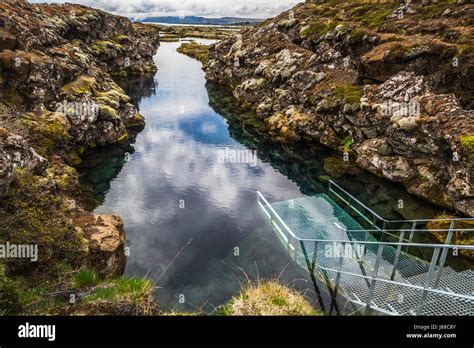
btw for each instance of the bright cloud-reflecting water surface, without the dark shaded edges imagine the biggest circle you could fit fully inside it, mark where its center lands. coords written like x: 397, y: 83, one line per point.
x: 207, y: 248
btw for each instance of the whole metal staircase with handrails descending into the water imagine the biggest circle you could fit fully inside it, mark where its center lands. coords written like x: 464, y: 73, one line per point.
x: 366, y: 258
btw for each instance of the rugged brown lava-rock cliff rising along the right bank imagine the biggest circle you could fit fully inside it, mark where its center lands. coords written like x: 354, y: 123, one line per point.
x: 389, y: 85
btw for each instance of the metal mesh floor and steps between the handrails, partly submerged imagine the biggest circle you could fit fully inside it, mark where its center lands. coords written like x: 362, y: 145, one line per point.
x: 320, y: 217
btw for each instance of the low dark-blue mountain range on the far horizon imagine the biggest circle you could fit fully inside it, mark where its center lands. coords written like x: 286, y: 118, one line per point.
x: 200, y: 20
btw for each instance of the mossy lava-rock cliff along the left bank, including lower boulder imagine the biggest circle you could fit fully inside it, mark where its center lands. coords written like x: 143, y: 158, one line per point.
x: 58, y: 98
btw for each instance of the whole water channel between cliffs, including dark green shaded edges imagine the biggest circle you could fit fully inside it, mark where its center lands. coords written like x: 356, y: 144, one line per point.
x: 192, y: 222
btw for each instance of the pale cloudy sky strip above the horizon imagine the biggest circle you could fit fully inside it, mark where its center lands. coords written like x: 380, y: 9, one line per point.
x: 204, y: 8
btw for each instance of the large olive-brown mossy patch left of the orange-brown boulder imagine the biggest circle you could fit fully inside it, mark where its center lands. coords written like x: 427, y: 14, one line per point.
x: 39, y: 215
